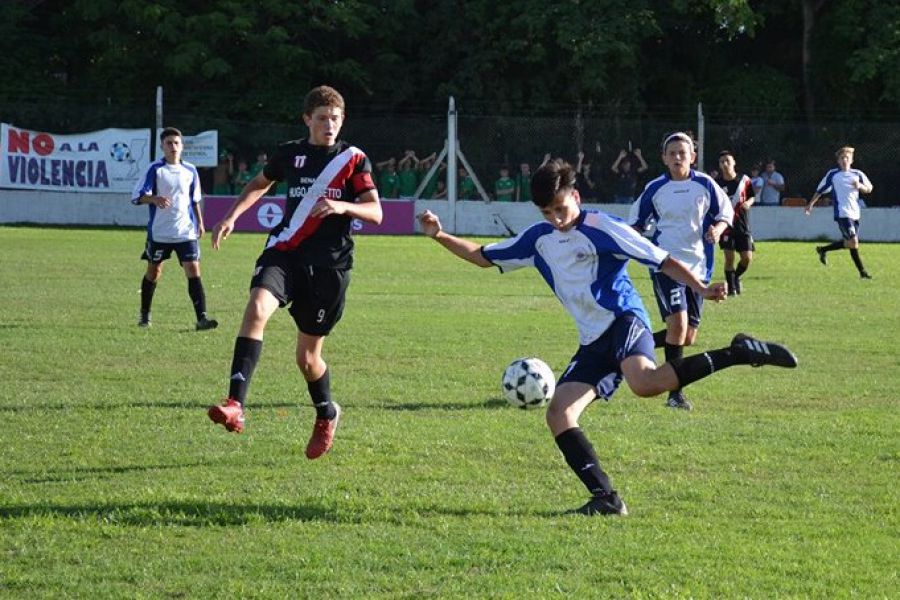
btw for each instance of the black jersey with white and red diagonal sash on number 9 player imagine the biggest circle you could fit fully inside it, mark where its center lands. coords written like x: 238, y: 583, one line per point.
x: 339, y: 172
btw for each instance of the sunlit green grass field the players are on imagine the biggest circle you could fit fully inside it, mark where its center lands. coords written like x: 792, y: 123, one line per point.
x: 113, y: 483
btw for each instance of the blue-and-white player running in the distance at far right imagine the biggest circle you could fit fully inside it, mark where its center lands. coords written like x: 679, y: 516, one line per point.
x: 845, y: 184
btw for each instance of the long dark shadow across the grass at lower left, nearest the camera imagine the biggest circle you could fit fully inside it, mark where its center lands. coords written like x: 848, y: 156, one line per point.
x: 186, y: 514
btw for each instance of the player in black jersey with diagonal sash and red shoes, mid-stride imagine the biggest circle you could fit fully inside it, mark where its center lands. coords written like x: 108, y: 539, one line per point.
x: 307, y: 259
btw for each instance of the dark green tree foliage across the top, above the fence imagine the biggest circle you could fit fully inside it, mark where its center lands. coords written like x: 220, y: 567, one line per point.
x: 256, y: 59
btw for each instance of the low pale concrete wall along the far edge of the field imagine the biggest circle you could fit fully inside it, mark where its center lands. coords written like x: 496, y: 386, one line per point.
x: 472, y: 218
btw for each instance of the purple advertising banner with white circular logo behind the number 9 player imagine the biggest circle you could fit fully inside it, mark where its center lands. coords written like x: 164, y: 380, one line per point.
x: 399, y: 215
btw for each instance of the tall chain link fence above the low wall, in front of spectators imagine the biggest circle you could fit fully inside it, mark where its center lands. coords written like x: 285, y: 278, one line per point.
x: 802, y: 153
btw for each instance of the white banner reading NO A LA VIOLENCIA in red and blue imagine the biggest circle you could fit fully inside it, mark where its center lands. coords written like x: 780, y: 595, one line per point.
x: 109, y: 160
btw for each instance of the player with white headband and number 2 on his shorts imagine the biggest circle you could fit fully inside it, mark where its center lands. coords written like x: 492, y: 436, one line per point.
x: 690, y: 212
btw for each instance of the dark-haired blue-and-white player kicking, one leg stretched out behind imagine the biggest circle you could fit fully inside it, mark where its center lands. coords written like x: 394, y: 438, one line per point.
x: 582, y: 256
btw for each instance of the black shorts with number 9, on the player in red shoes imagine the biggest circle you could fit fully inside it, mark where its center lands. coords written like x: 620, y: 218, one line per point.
x: 316, y: 294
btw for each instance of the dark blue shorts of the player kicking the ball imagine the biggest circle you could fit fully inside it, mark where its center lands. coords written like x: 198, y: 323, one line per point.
x: 599, y: 363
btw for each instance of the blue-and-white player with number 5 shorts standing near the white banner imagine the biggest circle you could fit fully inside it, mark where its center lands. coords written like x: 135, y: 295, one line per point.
x: 171, y: 188
